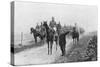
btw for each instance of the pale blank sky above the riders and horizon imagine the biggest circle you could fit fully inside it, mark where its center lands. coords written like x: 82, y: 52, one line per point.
x: 28, y: 14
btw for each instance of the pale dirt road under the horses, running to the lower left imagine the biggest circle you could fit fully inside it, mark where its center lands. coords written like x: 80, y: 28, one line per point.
x: 38, y: 55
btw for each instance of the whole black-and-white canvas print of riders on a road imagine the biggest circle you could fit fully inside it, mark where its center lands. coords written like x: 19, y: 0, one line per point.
x: 50, y: 33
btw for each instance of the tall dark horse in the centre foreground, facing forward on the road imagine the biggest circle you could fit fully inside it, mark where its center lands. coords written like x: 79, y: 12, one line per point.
x: 49, y: 37
